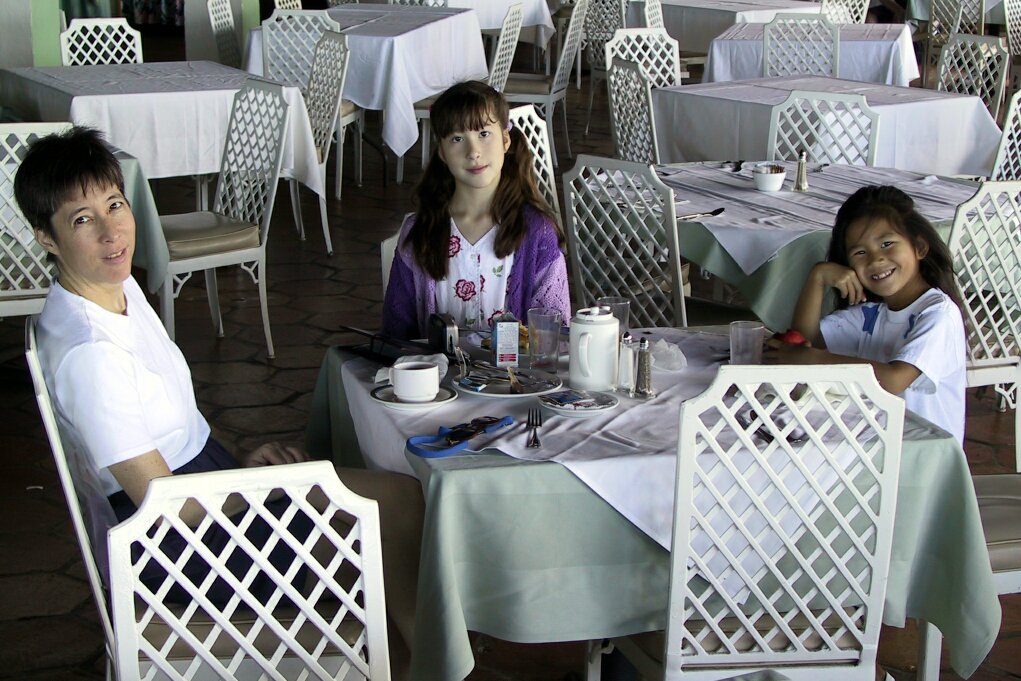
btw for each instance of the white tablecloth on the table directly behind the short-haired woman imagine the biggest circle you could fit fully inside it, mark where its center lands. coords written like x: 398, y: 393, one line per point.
x: 171, y: 116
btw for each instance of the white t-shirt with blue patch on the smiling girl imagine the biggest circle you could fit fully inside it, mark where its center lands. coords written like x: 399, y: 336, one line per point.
x: 929, y: 335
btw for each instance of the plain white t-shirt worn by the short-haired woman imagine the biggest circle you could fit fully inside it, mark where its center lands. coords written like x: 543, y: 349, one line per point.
x: 120, y: 384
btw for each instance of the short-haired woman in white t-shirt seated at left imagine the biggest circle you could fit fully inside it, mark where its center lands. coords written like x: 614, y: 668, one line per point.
x: 123, y: 391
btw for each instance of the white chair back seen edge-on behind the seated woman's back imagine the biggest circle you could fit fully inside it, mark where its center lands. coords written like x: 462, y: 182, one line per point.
x: 91, y: 514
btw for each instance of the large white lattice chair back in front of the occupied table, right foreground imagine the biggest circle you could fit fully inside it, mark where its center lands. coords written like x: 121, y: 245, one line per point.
x: 787, y: 491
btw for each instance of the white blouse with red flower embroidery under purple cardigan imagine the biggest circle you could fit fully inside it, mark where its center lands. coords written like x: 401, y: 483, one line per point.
x: 476, y: 285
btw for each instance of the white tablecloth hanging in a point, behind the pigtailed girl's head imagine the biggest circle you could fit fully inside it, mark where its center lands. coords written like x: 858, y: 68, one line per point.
x: 401, y: 55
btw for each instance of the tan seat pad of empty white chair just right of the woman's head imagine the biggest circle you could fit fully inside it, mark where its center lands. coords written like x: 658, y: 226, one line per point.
x: 205, y: 233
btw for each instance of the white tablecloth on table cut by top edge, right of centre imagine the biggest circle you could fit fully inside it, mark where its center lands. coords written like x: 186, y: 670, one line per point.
x: 696, y: 23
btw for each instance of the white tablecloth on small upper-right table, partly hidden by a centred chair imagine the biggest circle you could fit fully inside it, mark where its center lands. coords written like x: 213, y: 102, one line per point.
x: 870, y: 53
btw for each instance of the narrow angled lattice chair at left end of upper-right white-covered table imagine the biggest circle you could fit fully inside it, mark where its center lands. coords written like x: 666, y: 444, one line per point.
x: 631, y: 114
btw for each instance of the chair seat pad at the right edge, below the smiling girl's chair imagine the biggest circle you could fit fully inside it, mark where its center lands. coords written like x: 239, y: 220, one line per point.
x: 1000, y: 509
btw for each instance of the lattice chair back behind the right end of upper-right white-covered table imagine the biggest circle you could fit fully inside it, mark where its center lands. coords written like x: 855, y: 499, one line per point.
x: 976, y: 66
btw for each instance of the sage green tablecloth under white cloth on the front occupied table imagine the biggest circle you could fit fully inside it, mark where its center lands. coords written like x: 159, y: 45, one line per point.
x: 526, y: 553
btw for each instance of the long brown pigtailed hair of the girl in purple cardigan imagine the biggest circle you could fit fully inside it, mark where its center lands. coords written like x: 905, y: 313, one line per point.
x: 470, y: 107
